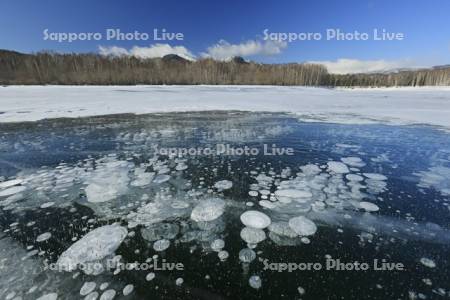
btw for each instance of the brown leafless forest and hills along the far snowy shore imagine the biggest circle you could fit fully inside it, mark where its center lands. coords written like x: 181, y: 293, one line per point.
x: 94, y: 69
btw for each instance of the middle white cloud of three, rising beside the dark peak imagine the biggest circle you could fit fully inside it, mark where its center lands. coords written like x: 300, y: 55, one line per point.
x: 225, y: 51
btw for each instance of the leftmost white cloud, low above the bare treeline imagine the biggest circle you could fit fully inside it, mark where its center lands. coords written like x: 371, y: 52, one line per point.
x: 156, y: 50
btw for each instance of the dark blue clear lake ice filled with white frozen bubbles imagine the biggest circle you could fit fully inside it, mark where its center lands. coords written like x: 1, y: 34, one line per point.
x: 357, y: 193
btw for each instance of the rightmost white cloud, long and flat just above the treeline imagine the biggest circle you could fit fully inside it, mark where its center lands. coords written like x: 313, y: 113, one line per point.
x: 349, y: 66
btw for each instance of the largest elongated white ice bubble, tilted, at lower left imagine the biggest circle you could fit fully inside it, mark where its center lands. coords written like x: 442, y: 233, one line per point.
x: 94, y: 246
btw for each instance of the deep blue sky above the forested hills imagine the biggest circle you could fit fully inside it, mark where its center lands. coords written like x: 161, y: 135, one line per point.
x: 205, y: 23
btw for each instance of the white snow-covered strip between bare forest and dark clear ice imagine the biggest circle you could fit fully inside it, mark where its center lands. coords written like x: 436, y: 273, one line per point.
x: 393, y: 105
